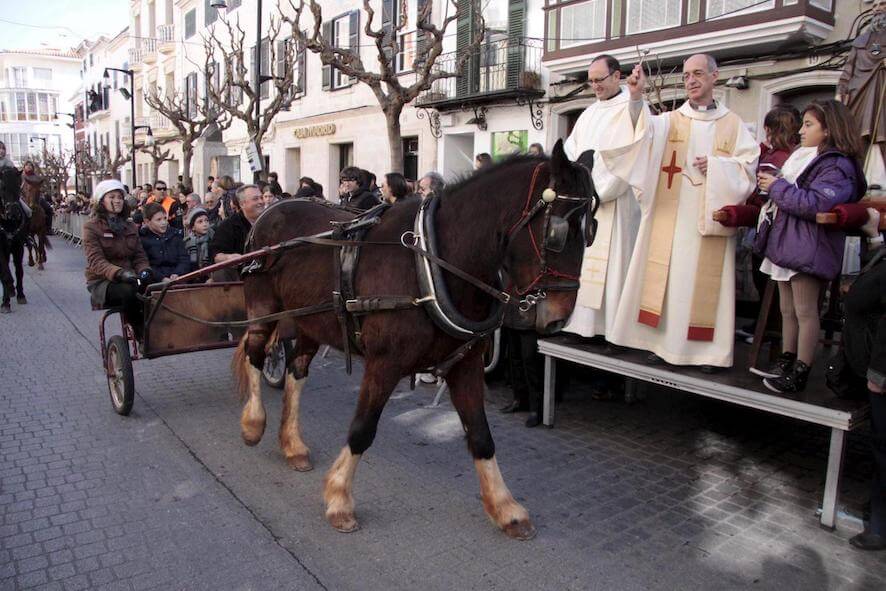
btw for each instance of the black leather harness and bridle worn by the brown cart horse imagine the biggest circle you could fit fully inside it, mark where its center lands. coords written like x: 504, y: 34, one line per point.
x: 347, y: 238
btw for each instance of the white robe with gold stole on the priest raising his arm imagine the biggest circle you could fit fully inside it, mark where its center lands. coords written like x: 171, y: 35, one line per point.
x: 679, y: 295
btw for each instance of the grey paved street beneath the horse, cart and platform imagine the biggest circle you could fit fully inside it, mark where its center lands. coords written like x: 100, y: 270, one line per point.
x: 677, y: 492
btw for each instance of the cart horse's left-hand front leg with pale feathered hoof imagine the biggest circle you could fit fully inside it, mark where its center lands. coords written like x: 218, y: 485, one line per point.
x: 379, y: 381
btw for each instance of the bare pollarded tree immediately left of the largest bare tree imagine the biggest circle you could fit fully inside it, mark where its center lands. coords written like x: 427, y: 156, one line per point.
x: 236, y: 96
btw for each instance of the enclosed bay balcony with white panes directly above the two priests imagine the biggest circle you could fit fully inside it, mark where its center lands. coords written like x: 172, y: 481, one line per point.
x: 671, y: 29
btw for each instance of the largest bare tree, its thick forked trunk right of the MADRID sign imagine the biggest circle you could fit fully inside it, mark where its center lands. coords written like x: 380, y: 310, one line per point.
x: 392, y: 91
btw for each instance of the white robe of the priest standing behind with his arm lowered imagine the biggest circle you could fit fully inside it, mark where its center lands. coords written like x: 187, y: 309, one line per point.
x: 604, y: 125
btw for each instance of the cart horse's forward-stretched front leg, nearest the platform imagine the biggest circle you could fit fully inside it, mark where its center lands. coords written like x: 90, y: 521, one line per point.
x: 466, y: 386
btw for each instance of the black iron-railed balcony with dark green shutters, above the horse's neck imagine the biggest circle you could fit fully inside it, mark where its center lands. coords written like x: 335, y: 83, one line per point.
x: 505, y: 68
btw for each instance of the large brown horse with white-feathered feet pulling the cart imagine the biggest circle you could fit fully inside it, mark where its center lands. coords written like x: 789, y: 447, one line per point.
x: 490, y: 222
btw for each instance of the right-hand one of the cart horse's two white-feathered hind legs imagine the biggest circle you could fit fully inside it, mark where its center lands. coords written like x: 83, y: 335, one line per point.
x: 297, y: 454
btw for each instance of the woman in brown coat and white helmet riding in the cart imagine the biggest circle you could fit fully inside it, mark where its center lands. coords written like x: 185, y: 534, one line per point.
x: 114, y: 255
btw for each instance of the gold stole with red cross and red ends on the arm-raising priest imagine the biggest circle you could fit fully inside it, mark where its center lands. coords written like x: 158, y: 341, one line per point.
x: 706, y: 294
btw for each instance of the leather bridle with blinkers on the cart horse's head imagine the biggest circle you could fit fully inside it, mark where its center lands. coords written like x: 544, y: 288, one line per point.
x: 555, y: 231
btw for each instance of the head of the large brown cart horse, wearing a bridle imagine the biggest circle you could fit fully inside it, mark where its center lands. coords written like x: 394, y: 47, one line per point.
x: 547, y: 244
